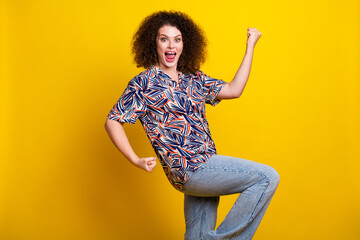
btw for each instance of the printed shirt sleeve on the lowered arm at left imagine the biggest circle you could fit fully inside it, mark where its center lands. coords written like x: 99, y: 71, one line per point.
x: 131, y: 105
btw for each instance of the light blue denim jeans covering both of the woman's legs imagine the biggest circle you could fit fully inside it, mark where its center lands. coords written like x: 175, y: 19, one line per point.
x: 223, y: 175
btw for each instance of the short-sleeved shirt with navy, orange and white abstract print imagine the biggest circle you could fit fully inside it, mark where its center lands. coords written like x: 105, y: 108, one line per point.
x: 173, y: 117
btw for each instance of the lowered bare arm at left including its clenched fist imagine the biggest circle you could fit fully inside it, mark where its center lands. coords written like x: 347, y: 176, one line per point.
x: 118, y: 137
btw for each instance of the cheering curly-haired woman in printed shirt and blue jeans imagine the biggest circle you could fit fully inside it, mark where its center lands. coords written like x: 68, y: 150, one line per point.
x: 169, y: 99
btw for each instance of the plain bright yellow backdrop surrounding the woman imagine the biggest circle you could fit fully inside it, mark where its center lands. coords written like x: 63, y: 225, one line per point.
x: 65, y: 63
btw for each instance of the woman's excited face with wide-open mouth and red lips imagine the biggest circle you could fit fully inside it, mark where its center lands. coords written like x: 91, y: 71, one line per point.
x: 169, y: 46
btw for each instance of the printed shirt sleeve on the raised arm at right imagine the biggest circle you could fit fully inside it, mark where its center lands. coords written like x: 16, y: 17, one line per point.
x: 211, y: 88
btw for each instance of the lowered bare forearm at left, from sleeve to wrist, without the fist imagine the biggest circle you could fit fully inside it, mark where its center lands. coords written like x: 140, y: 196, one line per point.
x: 118, y: 137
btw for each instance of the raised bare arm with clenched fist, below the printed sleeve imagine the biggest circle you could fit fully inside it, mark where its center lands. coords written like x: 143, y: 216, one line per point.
x: 235, y: 88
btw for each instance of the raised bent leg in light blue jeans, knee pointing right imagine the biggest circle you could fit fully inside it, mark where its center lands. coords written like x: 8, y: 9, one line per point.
x: 223, y: 175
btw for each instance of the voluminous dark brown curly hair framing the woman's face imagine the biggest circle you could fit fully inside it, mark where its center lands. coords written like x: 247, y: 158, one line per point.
x: 144, y: 41
